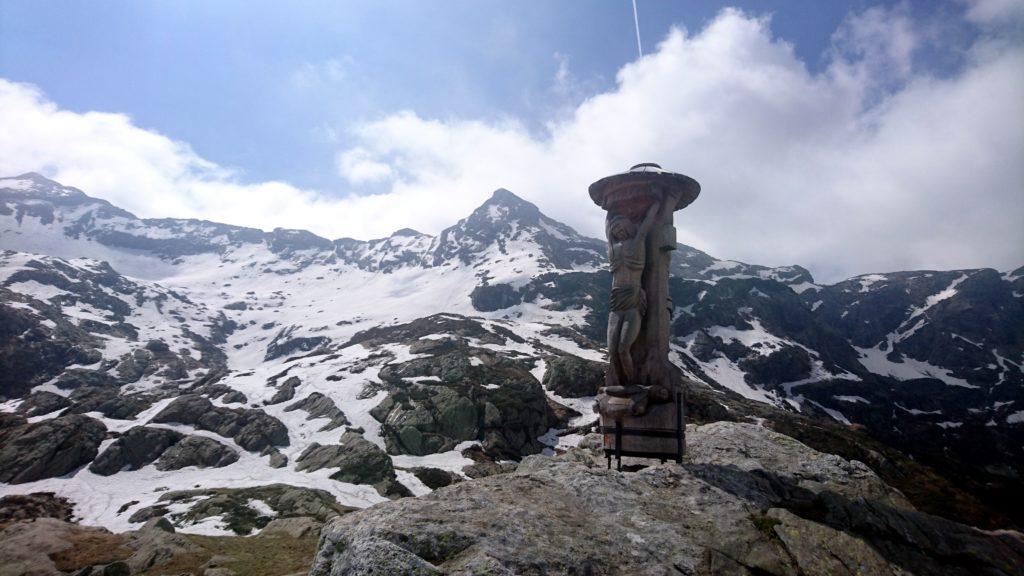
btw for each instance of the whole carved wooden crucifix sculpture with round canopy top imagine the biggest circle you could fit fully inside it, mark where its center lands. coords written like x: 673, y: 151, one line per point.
x: 641, y: 204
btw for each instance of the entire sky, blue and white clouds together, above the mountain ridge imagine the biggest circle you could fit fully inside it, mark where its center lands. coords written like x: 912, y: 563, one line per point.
x: 814, y: 126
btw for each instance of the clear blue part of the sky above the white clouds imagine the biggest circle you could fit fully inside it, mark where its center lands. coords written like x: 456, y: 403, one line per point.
x: 270, y: 88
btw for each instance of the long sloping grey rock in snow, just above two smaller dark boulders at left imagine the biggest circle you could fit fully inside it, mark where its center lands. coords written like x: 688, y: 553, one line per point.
x: 251, y: 429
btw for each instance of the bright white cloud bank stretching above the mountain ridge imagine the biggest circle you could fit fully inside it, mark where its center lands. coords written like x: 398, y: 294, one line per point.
x: 874, y: 163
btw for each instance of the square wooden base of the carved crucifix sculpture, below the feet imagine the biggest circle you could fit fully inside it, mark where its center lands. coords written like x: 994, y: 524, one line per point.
x: 659, y: 434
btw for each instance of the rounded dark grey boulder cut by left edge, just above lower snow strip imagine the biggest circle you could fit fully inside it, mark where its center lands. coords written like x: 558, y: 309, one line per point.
x: 49, y: 448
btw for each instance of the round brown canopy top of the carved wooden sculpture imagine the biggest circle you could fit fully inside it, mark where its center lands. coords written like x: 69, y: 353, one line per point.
x: 643, y: 180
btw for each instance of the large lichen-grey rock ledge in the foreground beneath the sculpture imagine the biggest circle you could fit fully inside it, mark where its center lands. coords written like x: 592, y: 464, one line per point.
x: 747, y: 502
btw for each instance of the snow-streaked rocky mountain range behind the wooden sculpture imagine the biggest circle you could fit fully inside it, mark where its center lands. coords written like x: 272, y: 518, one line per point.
x: 176, y: 353
